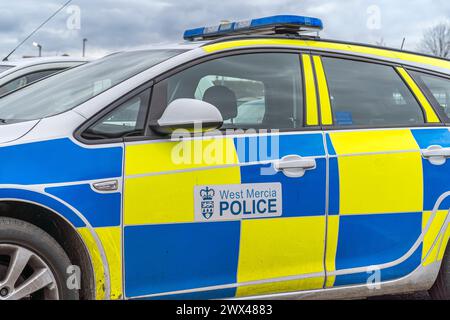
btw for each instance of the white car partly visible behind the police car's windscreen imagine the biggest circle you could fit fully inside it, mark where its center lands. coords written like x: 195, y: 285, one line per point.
x: 16, y: 74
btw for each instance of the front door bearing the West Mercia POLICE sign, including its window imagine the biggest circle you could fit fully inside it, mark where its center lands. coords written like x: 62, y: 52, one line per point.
x: 236, y: 212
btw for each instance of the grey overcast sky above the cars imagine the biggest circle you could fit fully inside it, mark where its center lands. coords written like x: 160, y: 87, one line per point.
x: 111, y: 25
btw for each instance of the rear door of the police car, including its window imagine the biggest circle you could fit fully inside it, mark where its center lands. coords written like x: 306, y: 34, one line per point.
x: 376, y: 120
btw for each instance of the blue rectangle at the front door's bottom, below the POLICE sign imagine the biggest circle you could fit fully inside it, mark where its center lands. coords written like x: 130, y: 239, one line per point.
x: 172, y: 257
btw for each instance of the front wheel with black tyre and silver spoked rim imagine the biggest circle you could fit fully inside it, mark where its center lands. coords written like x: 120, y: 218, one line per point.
x: 43, y: 255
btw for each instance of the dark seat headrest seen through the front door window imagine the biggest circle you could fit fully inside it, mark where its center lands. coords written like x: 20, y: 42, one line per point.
x: 224, y: 99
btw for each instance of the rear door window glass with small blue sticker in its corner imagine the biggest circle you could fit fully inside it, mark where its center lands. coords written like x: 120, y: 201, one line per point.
x: 369, y: 94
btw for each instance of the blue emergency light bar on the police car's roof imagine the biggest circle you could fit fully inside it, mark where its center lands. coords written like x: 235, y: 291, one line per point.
x: 283, y: 24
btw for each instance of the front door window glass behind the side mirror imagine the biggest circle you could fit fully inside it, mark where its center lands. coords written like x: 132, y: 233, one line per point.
x: 259, y: 90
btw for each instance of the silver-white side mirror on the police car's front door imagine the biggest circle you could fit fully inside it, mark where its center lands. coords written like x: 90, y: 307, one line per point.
x: 191, y: 114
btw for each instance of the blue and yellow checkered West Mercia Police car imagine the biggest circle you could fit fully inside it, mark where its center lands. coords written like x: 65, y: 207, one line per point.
x: 140, y: 176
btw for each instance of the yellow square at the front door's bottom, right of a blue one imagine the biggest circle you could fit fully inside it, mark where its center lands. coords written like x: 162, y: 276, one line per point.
x: 281, y: 247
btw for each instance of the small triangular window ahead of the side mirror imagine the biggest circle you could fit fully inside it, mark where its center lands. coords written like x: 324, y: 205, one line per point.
x: 126, y: 120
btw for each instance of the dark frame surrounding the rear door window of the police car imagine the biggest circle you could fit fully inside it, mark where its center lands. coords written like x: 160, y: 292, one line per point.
x: 391, y: 64
